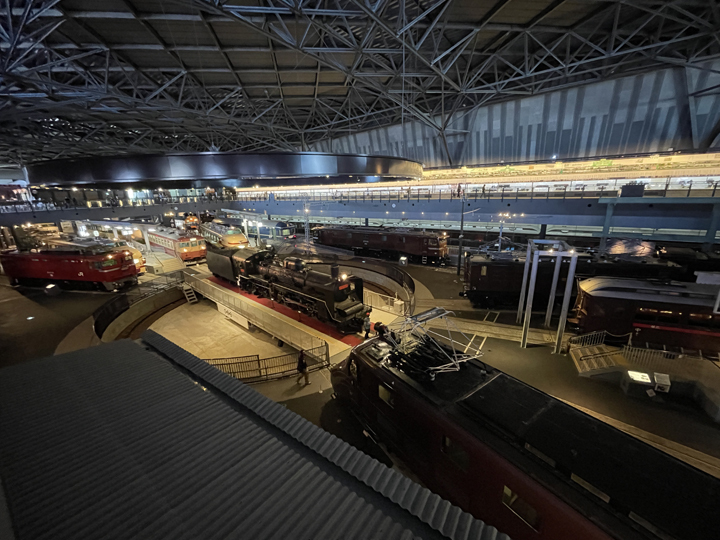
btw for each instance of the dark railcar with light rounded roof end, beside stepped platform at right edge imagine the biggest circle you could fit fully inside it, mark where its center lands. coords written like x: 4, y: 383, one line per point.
x: 677, y: 315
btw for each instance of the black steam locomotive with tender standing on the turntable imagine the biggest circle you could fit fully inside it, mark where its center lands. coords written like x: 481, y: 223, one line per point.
x: 332, y: 298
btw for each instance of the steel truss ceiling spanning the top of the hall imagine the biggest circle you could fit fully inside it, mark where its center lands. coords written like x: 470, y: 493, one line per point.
x: 67, y: 87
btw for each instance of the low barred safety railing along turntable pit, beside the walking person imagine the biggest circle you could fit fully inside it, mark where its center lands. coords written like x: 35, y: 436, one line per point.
x: 252, y: 368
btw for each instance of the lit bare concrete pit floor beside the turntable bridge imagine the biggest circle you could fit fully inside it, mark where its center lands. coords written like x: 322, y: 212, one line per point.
x: 201, y: 330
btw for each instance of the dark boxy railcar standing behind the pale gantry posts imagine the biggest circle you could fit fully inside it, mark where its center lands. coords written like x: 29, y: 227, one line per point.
x: 494, y: 279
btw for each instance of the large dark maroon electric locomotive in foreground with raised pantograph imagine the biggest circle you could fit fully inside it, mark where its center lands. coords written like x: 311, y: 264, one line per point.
x: 522, y: 461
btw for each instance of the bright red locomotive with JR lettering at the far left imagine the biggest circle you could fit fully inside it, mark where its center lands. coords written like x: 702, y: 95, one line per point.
x: 107, y: 269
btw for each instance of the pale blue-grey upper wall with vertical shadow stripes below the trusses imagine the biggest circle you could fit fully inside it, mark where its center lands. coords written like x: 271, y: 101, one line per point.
x: 674, y: 108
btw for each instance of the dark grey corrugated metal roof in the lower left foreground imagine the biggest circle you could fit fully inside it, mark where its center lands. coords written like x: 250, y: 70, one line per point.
x: 116, y: 442
